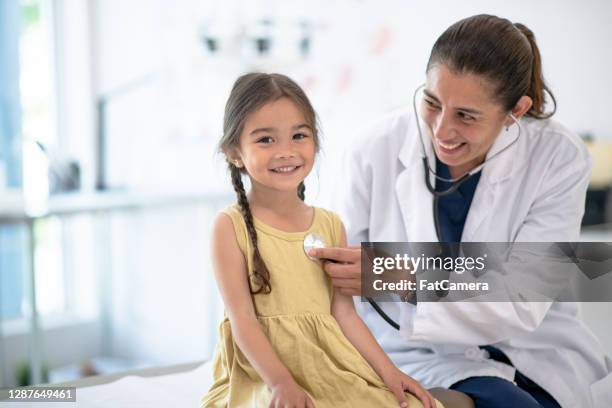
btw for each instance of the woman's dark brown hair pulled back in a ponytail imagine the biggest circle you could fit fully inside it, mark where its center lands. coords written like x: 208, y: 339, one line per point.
x: 504, y: 53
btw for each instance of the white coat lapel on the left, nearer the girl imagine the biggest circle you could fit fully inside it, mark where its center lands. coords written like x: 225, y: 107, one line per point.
x: 415, y: 201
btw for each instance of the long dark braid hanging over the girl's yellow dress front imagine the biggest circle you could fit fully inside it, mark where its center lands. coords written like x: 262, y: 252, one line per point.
x: 260, y: 270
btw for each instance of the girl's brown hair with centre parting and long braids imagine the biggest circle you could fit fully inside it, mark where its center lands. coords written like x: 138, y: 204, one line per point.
x: 250, y: 93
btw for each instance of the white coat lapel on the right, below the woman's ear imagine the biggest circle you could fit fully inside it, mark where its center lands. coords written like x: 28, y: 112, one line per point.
x: 494, y: 173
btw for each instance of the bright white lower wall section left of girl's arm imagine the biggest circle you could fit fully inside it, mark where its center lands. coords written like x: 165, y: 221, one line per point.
x: 163, y: 305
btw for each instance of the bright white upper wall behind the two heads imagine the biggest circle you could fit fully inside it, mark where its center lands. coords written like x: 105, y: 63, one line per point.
x: 367, y: 58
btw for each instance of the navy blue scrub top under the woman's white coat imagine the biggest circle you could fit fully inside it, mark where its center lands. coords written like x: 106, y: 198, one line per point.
x: 453, y: 208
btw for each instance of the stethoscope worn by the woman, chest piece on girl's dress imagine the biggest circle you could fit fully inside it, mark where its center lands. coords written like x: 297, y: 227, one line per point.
x: 315, y: 241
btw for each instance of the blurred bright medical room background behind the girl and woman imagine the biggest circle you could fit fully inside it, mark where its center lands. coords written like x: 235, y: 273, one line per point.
x: 109, y: 180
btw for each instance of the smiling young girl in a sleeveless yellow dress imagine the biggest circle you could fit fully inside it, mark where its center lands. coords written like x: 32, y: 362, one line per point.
x: 289, y: 339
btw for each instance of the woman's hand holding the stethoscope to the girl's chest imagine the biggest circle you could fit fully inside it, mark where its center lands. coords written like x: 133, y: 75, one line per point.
x: 343, y: 265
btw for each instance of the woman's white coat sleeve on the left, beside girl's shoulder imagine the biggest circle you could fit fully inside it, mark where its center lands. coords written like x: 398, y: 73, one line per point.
x: 355, y: 191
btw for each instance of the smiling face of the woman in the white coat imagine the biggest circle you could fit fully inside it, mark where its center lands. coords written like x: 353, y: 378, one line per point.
x: 463, y: 116
